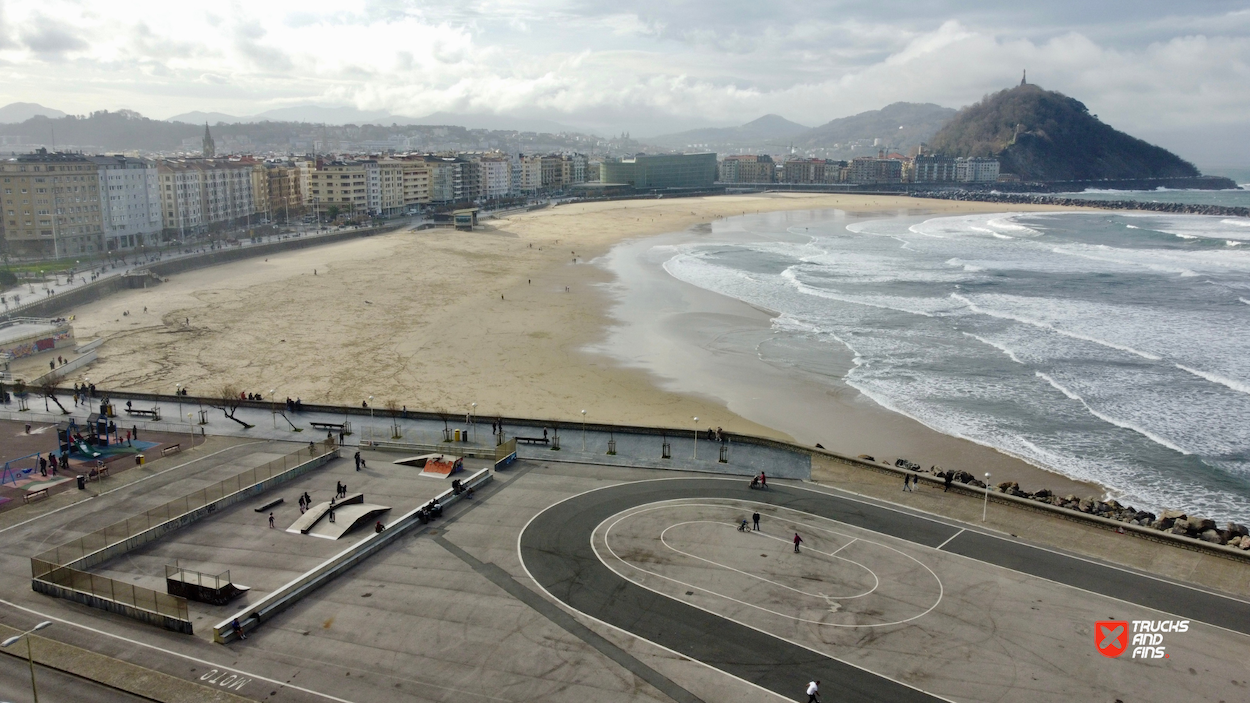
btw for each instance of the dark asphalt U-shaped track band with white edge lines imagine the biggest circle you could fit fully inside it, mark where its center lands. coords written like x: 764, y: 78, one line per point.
x: 557, y: 551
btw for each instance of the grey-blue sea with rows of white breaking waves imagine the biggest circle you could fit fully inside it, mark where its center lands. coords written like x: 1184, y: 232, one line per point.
x: 1112, y: 348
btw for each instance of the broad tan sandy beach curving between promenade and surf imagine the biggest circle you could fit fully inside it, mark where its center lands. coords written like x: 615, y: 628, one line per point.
x: 514, y: 317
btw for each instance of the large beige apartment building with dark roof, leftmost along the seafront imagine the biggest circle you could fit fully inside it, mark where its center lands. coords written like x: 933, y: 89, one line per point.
x: 52, y: 205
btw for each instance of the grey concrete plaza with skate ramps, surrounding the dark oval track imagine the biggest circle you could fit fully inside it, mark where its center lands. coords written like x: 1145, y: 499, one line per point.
x: 571, y: 581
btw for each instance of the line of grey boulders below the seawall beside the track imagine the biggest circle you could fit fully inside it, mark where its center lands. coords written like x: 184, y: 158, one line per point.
x: 1176, y: 522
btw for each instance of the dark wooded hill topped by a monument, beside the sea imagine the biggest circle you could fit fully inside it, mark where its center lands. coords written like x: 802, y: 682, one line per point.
x: 1044, y: 136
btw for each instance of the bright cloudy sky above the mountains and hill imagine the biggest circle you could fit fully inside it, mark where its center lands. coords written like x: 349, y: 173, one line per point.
x: 1178, y: 73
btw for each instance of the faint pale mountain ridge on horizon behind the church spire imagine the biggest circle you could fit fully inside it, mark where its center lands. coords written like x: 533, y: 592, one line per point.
x: 316, y: 114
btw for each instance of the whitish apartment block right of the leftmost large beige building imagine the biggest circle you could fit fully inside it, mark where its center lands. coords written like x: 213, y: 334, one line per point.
x: 131, y: 207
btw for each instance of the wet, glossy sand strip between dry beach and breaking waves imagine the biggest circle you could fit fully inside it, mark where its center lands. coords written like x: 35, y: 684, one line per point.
x: 694, y: 341
